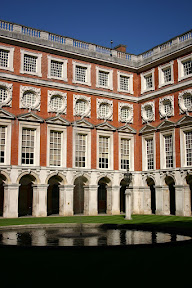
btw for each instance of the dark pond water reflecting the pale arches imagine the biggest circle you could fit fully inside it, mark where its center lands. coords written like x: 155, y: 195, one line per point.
x: 89, y: 237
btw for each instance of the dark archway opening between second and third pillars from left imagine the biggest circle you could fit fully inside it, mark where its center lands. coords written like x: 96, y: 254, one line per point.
x: 53, y: 195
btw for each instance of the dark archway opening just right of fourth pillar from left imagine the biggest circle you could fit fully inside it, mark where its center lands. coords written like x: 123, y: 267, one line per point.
x: 102, y: 195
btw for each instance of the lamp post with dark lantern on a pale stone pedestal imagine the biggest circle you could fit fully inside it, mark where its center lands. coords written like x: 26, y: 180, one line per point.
x: 128, y: 179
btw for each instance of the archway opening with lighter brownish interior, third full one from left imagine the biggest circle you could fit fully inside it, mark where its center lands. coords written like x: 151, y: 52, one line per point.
x: 78, y: 195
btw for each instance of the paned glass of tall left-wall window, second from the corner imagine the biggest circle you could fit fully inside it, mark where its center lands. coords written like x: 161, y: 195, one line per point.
x: 103, y: 152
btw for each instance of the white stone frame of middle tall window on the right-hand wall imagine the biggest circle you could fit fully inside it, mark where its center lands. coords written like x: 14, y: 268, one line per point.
x: 163, y: 134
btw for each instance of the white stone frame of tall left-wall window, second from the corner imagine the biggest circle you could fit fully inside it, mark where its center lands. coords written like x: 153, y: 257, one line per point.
x: 109, y: 135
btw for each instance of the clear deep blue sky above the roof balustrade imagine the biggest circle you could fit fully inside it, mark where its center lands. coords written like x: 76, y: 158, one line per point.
x: 139, y: 24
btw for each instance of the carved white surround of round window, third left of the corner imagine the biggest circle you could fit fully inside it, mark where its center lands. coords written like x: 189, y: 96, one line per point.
x: 87, y: 112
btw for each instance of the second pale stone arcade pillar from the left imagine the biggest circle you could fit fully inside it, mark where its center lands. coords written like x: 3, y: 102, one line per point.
x: 40, y: 200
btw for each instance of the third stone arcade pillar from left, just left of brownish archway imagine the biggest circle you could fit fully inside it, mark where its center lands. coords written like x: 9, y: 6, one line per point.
x: 66, y: 200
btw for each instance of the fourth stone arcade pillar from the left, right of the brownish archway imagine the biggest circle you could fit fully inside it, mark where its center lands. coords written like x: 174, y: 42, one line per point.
x: 93, y: 200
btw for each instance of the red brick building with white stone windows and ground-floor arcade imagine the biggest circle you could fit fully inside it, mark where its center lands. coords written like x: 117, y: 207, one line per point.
x: 74, y: 116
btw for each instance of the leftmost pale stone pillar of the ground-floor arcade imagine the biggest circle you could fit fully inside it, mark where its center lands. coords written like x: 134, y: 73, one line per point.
x: 11, y: 194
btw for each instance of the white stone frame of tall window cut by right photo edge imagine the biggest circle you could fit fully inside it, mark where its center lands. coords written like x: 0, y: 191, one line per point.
x: 183, y: 156
